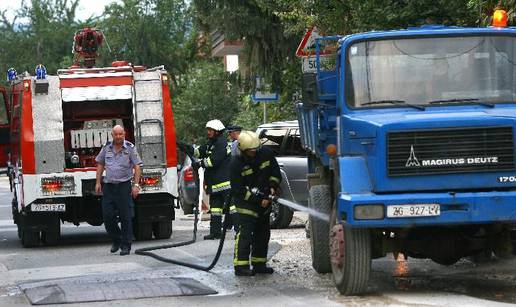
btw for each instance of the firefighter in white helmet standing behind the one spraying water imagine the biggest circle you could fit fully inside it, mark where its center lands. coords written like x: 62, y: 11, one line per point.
x: 215, y: 158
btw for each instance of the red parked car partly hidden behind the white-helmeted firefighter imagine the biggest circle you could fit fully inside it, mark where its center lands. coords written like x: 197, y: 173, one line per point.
x: 188, y: 184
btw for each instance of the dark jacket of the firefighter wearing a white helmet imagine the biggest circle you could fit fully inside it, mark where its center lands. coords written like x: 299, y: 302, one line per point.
x: 215, y: 158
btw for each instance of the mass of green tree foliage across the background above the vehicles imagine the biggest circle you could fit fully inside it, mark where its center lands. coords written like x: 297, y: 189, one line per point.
x: 175, y: 33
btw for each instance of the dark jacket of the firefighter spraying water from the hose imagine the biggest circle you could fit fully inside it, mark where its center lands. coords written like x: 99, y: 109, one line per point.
x: 260, y: 172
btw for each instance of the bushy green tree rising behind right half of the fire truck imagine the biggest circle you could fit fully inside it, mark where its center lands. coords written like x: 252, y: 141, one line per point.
x: 152, y: 33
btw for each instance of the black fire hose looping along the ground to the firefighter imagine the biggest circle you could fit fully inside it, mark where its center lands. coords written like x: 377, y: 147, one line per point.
x: 148, y: 251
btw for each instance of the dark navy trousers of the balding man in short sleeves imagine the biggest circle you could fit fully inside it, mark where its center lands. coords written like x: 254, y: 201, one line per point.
x: 117, y: 205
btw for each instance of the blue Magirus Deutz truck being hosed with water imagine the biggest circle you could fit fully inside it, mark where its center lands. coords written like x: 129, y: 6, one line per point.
x: 410, y: 137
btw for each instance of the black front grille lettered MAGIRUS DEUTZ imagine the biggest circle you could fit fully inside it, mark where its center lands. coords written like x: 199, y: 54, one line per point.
x: 442, y: 151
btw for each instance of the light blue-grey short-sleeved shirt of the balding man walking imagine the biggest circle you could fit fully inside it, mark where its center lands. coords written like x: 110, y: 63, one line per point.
x: 119, y: 166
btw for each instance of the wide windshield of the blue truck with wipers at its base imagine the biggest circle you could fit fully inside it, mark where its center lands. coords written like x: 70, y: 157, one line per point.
x: 429, y: 71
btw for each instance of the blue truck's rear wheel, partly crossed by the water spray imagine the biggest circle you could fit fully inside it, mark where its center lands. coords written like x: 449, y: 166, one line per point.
x: 320, y: 200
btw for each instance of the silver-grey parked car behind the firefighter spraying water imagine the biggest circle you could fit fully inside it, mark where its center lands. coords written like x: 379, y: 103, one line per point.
x: 284, y: 139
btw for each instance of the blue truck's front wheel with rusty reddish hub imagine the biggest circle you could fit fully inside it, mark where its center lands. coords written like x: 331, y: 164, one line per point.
x: 350, y: 256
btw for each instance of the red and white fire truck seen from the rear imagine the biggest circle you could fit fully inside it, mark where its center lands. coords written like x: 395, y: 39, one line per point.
x: 59, y: 124
